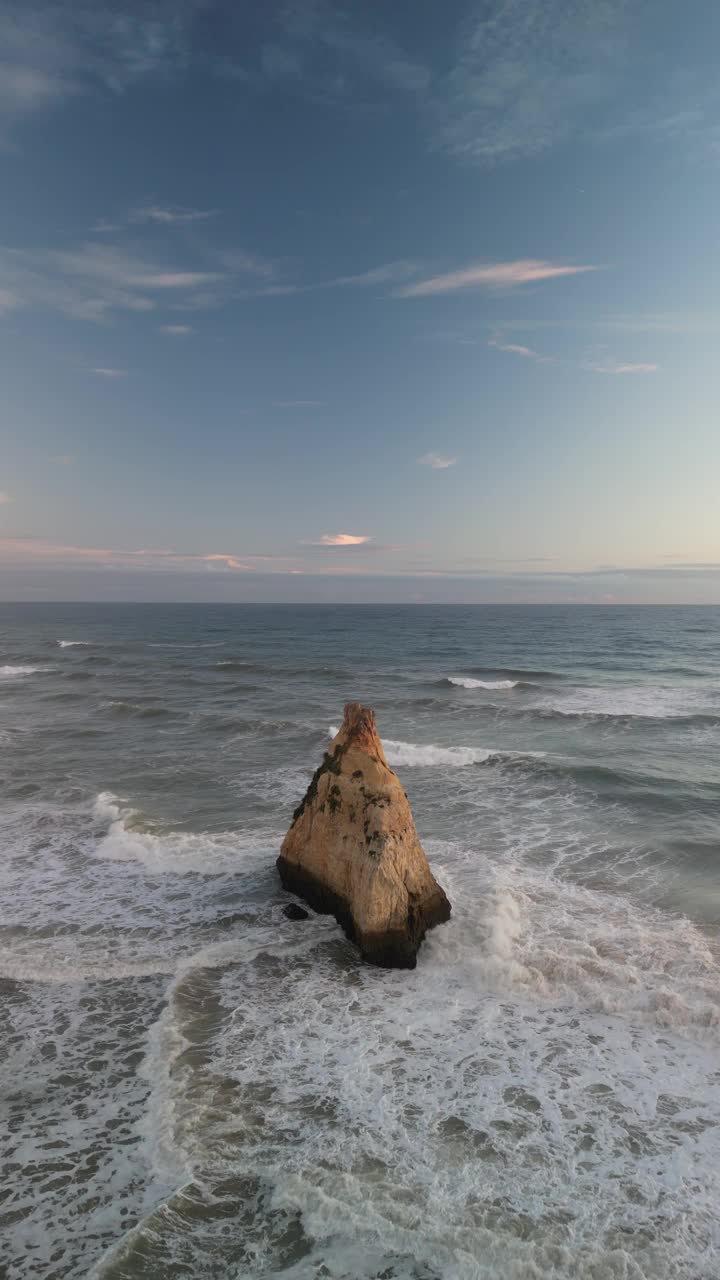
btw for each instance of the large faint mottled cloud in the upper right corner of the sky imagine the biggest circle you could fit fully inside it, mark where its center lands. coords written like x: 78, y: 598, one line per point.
x: 528, y: 77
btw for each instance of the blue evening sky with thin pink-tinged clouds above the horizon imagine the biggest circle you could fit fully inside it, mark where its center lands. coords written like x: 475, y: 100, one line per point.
x: 361, y: 301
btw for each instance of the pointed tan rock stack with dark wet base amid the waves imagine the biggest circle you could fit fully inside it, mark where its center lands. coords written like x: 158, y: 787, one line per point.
x: 353, y: 849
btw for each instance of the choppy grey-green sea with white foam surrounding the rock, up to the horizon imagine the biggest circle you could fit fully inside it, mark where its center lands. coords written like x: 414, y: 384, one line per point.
x: 193, y: 1086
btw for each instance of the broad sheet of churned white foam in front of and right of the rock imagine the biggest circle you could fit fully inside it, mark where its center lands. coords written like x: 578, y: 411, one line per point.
x: 522, y: 1105
